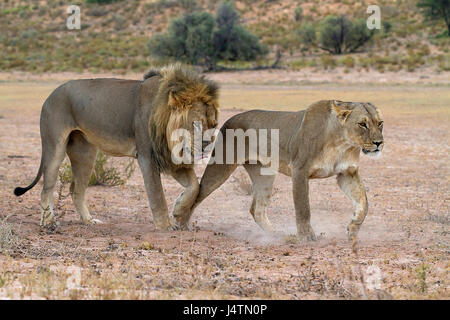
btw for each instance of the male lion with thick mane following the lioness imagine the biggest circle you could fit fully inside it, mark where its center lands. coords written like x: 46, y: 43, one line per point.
x: 124, y: 118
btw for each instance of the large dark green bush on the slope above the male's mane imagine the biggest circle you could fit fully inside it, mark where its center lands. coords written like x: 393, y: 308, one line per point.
x: 197, y: 38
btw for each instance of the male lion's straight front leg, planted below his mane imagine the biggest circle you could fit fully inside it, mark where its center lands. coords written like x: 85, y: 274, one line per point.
x: 155, y: 193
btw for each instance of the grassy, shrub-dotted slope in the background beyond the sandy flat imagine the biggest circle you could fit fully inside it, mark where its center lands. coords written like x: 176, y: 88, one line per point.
x: 120, y: 36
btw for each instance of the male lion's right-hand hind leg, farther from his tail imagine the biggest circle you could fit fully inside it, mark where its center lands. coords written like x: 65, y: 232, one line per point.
x: 82, y: 156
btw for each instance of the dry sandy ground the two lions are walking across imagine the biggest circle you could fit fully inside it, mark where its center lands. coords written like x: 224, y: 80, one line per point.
x: 402, y: 252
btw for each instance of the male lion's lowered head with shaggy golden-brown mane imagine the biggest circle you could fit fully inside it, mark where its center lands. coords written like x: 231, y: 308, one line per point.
x: 187, y: 110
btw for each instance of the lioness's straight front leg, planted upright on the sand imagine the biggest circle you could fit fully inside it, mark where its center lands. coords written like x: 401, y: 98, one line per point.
x: 300, y: 188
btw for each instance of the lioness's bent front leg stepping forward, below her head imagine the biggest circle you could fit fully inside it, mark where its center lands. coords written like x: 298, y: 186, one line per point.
x: 351, y: 184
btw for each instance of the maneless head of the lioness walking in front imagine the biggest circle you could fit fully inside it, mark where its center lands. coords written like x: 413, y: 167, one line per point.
x: 363, y: 125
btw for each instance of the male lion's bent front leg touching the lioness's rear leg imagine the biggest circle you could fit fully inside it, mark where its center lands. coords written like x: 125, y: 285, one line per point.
x: 182, y: 209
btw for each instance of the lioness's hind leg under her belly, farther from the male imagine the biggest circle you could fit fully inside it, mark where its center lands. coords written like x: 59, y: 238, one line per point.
x: 262, y: 191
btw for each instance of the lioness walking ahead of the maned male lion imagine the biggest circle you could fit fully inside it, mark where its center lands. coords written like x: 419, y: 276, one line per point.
x: 322, y: 141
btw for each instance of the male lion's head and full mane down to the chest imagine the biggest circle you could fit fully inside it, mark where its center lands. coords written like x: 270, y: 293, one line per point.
x: 185, y: 100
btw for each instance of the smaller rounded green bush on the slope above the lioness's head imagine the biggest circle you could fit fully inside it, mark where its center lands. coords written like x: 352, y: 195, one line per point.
x: 338, y: 34
